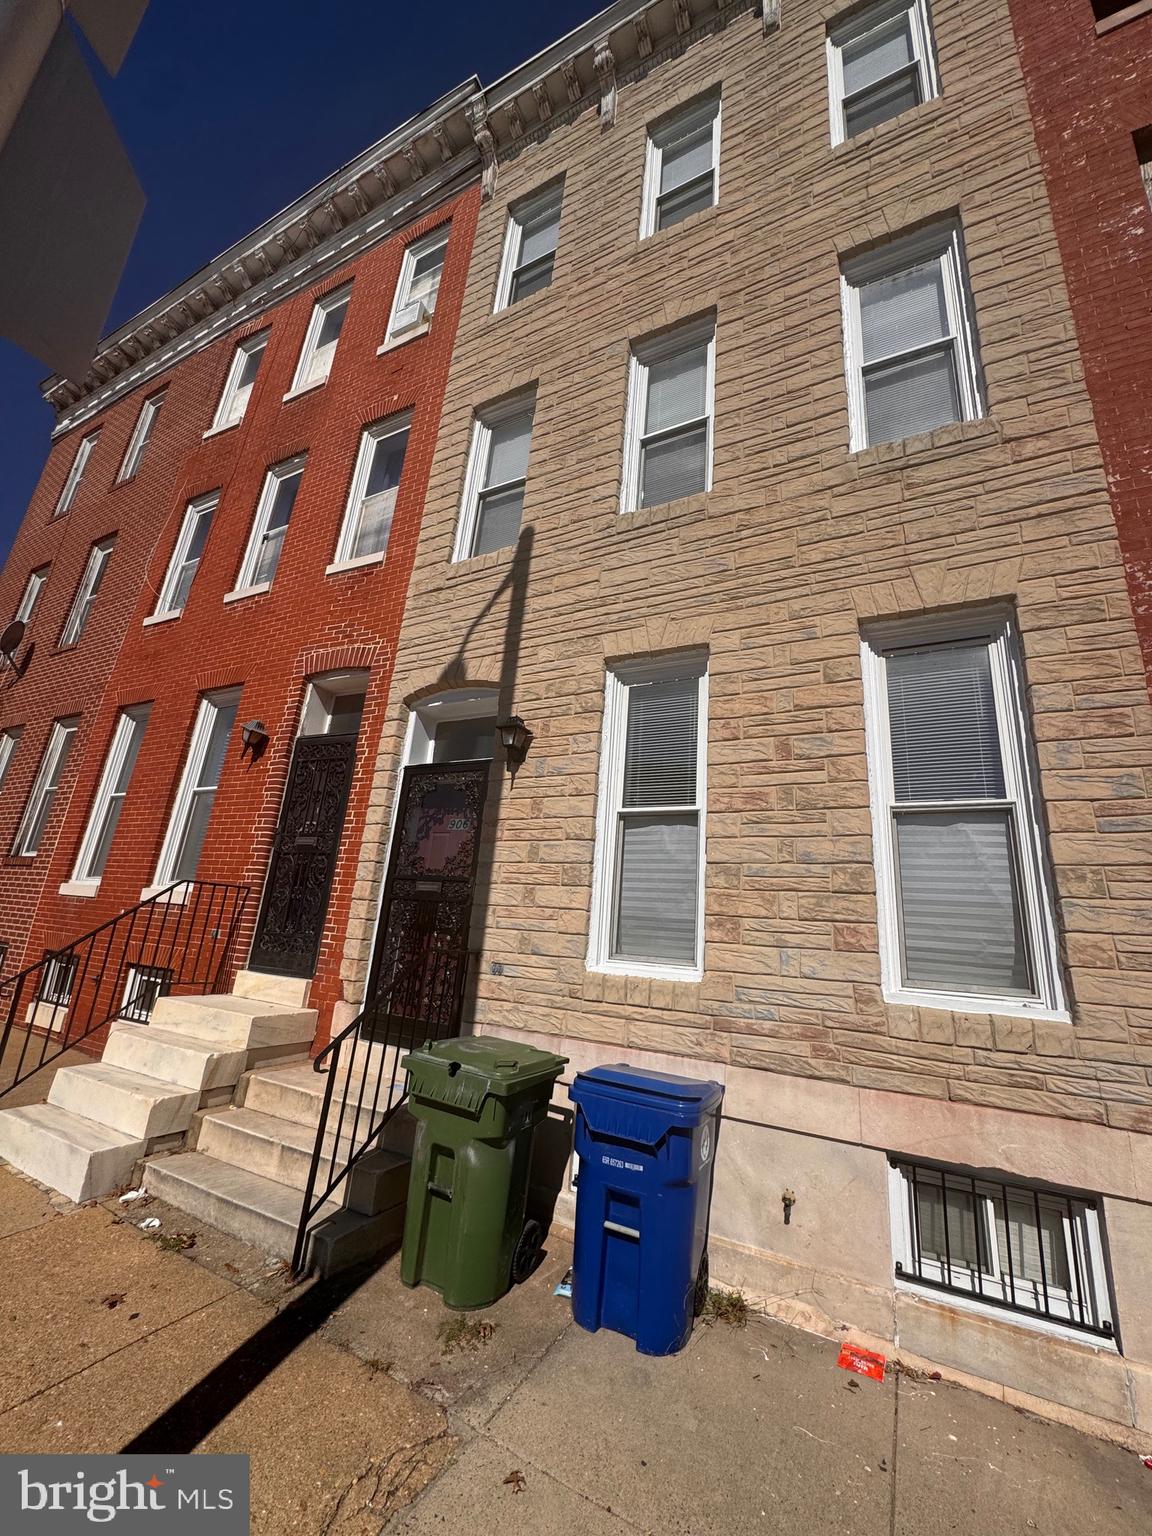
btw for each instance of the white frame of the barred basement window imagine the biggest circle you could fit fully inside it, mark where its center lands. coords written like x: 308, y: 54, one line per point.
x: 1084, y: 1245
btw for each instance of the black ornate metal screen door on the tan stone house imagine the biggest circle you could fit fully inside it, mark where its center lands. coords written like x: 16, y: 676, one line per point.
x: 420, y: 967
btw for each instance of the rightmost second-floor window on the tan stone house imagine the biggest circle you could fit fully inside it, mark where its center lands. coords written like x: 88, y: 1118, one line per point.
x: 912, y: 349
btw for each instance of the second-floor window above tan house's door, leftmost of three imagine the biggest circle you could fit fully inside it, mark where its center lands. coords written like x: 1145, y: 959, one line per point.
x: 494, y: 486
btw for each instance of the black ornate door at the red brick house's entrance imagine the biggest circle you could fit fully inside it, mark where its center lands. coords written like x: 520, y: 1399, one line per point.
x: 305, y: 856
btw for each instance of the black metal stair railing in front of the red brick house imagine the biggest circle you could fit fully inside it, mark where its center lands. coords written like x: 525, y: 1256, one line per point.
x: 182, y: 938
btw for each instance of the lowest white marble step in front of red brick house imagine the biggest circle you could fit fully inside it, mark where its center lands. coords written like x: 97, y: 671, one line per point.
x: 68, y: 1153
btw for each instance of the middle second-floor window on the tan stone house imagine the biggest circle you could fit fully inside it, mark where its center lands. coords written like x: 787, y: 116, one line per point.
x: 669, y: 442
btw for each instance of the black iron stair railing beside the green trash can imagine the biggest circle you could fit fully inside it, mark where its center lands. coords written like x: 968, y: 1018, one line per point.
x: 419, y: 999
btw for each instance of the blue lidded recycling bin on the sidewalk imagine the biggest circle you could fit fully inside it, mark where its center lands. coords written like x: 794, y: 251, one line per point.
x: 647, y: 1147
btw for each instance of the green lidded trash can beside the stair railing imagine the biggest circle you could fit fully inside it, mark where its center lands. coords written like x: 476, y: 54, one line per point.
x: 477, y: 1104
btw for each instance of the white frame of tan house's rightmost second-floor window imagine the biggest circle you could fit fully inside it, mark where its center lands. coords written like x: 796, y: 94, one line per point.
x: 938, y: 243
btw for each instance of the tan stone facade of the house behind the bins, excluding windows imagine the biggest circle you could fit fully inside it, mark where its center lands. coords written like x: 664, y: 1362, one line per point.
x: 773, y: 572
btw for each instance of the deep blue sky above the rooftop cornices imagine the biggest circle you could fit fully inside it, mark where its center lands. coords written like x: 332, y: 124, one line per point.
x: 231, y: 111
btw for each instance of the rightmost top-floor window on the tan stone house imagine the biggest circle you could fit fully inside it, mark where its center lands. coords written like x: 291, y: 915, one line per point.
x: 881, y: 64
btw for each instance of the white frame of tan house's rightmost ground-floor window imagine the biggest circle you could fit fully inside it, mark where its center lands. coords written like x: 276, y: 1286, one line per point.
x: 1022, y: 799
